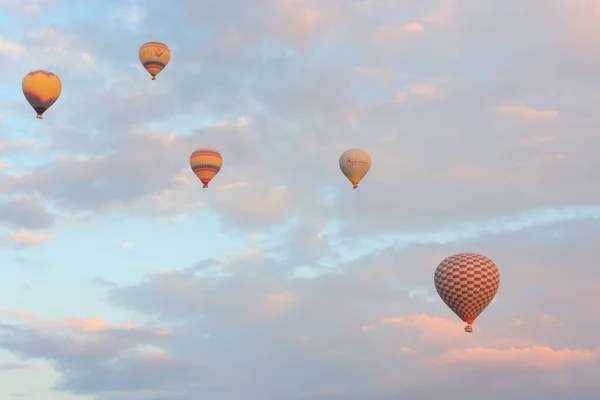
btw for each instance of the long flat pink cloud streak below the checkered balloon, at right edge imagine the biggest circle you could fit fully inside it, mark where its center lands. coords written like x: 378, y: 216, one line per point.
x: 535, y: 357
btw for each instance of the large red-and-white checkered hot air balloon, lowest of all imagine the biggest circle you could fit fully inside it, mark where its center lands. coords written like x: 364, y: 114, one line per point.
x: 467, y: 283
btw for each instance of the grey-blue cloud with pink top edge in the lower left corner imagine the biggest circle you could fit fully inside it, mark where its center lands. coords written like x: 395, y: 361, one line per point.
x: 74, y: 342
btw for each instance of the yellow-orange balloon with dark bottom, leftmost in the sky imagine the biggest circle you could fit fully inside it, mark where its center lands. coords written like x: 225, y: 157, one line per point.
x: 41, y: 89
